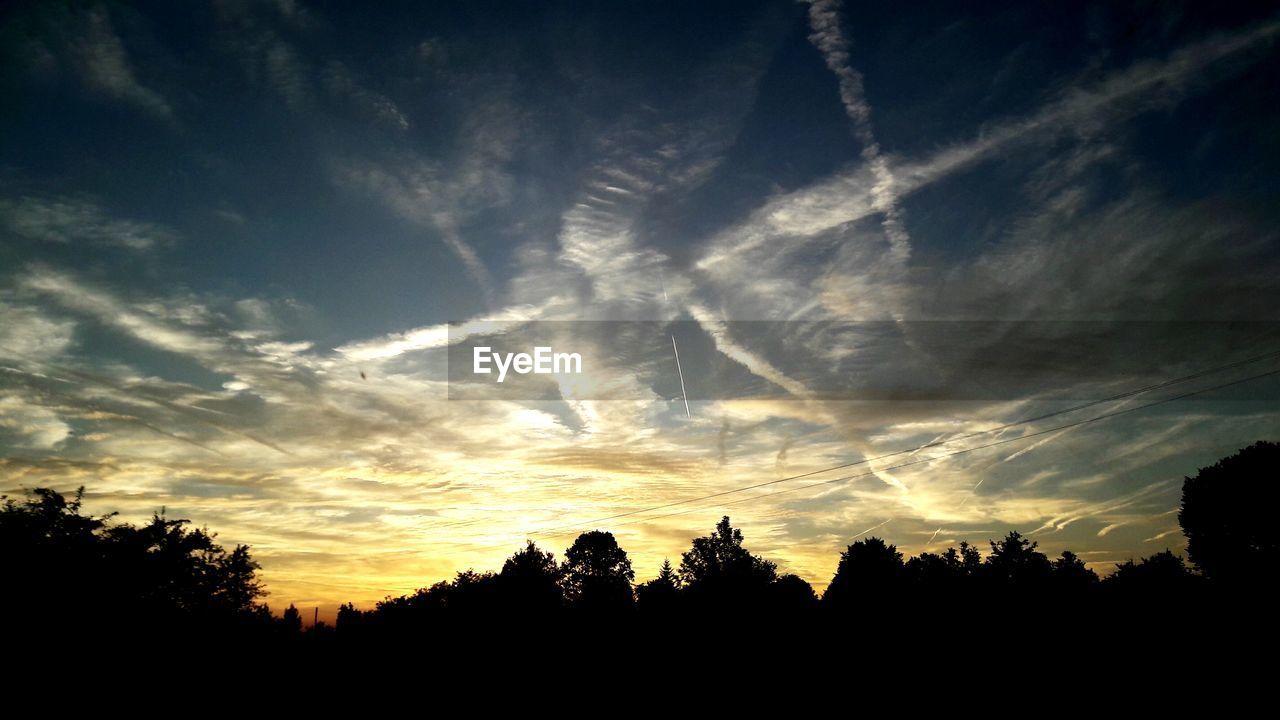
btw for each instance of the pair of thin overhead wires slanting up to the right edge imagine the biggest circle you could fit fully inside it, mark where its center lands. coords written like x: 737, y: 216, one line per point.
x: 936, y: 444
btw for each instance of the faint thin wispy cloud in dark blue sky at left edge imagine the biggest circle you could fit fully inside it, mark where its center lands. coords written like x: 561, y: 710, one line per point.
x: 70, y: 221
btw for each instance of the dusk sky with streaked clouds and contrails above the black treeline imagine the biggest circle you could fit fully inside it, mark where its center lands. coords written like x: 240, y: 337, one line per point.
x: 246, y: 252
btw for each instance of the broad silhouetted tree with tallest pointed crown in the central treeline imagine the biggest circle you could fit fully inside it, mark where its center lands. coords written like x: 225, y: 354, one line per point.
x: 719, y: 566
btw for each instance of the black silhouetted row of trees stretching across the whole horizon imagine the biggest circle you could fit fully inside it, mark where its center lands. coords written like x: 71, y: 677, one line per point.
x: 65, y: 566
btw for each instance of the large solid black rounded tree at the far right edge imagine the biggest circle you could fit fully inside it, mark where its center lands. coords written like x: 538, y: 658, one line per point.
x: 1227, y: 516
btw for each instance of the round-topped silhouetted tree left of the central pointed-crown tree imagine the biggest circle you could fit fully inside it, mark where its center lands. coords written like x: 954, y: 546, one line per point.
x: 597, y: 573
